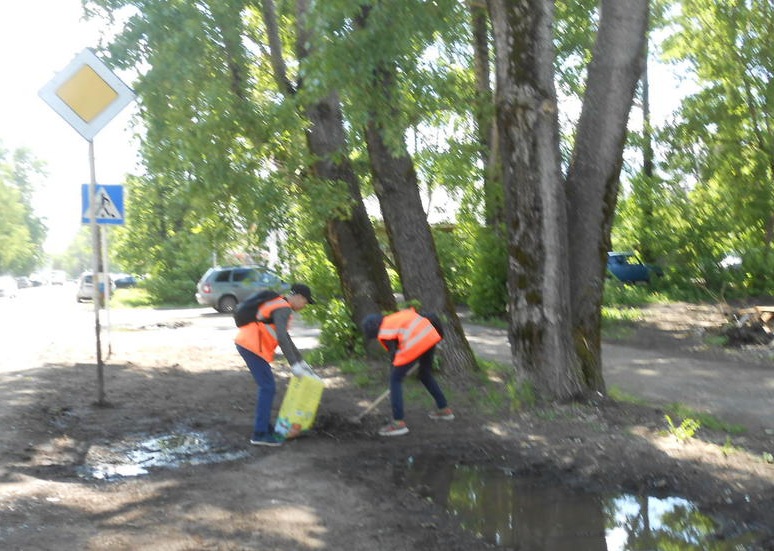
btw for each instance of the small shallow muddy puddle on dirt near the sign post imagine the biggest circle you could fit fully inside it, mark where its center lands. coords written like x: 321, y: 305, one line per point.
x: 135, y: 456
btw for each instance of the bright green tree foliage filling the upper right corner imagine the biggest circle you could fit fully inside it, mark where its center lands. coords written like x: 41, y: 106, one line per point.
x: 714, y: 195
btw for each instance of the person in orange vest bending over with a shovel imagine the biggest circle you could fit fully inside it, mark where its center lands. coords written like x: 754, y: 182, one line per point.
x: 409, y: 337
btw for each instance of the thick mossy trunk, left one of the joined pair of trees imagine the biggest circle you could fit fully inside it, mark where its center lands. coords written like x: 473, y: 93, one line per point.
x: 538, y: 279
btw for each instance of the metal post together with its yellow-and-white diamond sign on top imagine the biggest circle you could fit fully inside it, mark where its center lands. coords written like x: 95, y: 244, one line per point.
x: 87, y: 94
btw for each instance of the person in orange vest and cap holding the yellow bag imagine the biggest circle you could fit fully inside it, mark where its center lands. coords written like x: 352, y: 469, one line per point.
x: 256, y: 342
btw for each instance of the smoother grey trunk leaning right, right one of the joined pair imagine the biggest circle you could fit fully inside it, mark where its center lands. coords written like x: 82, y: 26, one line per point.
x: 592, y: 180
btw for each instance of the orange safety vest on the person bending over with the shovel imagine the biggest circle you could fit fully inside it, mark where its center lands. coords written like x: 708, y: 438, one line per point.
x: 414, y: 333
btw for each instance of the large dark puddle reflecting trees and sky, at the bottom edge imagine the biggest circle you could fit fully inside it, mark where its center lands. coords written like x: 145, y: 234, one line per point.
x: 517, y: 513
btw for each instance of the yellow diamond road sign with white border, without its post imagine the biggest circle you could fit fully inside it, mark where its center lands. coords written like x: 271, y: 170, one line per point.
x: 87, y: 94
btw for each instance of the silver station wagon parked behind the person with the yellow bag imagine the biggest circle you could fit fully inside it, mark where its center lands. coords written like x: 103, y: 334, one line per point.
x: 223, y: 288
